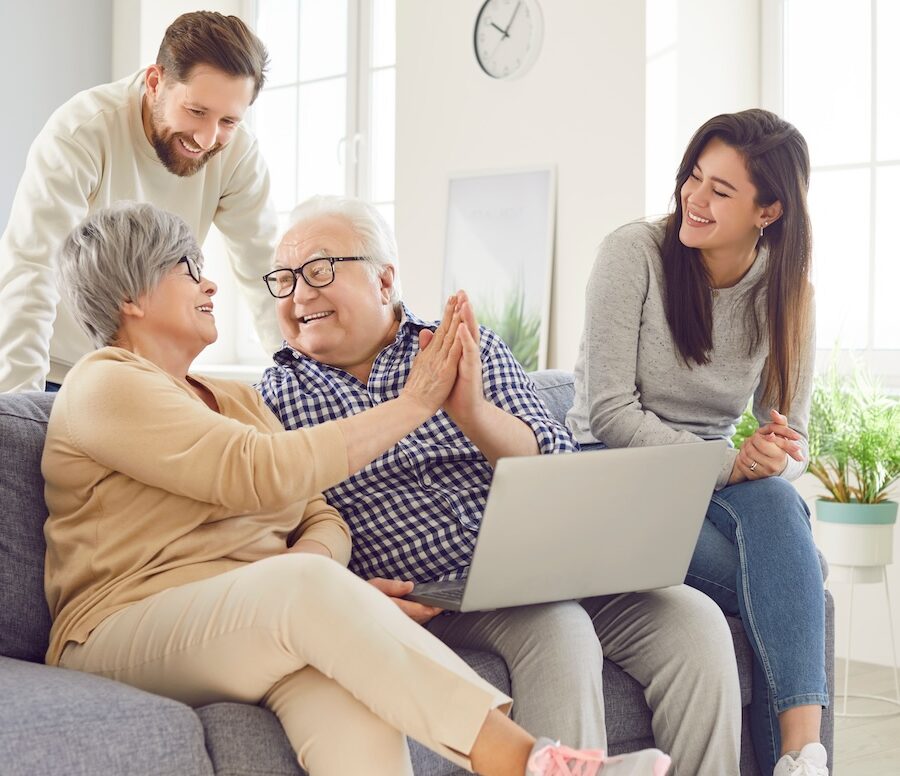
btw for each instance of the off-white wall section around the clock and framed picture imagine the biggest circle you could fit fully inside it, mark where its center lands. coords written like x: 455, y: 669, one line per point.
x: 580, y: 108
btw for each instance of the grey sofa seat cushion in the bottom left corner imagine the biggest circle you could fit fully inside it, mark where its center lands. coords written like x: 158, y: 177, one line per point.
x: 58, y: 721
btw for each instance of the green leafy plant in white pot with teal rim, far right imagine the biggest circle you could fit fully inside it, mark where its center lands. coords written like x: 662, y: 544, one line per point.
x: 854, y: 451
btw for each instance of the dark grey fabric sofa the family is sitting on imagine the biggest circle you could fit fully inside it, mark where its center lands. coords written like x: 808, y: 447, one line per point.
x: 58, y: 721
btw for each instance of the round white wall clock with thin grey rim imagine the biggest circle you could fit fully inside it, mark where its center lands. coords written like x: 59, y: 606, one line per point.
x: 508, y: 36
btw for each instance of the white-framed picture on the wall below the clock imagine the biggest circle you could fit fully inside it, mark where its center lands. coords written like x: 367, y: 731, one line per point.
x: 499, y: 248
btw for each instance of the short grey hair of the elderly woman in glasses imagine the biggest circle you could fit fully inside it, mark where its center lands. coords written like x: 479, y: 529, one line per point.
x: 116, y: 255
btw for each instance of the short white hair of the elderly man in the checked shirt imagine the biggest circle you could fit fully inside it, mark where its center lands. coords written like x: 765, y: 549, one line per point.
x: 376, y: 240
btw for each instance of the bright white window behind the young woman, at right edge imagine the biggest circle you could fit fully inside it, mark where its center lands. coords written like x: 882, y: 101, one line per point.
x: 837, y: 83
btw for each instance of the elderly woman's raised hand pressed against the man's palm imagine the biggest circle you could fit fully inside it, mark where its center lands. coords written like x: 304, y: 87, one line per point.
x: 434, y: 369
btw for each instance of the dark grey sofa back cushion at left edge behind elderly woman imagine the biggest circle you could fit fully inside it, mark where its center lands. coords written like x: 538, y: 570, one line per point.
x: 24, y: 617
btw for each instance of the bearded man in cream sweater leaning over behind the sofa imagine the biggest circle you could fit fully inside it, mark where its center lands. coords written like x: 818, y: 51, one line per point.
x: 171, y: 135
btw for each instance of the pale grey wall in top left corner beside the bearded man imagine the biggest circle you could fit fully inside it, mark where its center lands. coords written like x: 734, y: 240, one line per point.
x: 44, y: 65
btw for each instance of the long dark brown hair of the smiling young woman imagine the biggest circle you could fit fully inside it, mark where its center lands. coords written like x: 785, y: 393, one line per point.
x: 777, y: 160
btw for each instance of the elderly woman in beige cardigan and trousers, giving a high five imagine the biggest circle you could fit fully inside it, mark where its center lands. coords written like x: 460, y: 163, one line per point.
x: 190, y: 552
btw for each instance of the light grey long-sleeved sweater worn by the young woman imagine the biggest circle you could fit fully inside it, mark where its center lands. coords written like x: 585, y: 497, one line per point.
x: 632, y: 387
